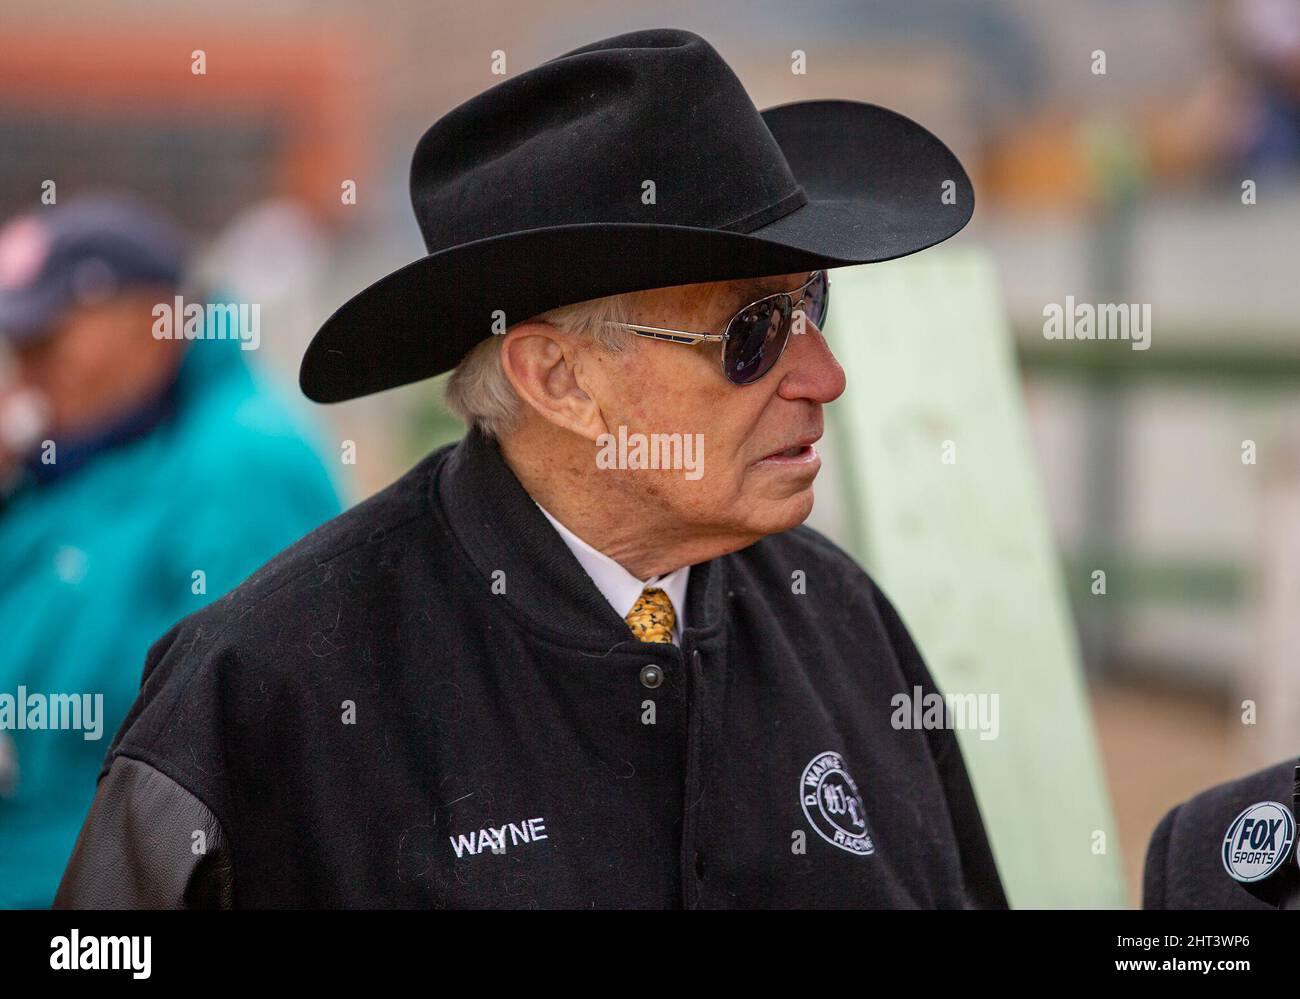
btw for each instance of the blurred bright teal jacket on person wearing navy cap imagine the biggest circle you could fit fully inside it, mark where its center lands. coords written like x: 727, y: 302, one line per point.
x: 102, y: 560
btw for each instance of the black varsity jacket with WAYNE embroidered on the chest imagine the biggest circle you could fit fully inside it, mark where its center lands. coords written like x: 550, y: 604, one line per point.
x: 427, y: 703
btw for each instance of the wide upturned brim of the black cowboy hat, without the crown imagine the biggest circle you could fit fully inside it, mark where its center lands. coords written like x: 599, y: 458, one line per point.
x: 879, y: 187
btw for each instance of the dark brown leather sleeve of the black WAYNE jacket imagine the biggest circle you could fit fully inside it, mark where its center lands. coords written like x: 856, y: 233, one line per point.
x: 140, y: 850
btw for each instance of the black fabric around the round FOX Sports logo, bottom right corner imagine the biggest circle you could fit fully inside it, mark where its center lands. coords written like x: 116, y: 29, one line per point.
x: 1185, y: 859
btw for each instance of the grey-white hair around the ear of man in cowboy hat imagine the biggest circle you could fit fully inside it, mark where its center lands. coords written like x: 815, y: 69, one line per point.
x: 480, y: 395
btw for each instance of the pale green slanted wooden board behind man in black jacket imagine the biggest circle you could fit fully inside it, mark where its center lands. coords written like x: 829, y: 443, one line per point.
x: 964, y: 550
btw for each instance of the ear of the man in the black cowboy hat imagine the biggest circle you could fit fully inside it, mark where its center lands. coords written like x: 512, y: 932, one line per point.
x: 545, y: 369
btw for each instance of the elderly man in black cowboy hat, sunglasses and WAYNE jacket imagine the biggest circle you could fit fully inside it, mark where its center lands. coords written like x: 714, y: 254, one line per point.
x: 587, y: 658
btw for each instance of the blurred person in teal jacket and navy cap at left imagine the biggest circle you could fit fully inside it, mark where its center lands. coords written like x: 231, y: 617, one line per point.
x: 141, y: 477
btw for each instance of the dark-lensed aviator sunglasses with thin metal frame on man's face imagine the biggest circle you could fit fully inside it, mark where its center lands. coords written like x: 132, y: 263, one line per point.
x: 755, y: 338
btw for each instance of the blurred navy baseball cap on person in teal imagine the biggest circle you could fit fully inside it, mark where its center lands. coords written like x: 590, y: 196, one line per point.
x: 81, y: 253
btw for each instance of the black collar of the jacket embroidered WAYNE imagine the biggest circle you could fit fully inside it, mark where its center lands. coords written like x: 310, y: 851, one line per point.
x: 500, y: 529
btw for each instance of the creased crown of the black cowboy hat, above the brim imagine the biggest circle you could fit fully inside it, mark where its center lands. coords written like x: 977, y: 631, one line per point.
x: 583, y: 136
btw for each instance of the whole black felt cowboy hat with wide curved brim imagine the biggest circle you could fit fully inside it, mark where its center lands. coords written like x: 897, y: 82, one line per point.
x: 632, y: 163
